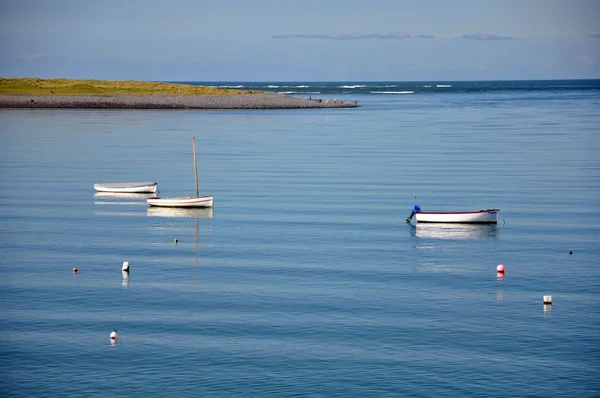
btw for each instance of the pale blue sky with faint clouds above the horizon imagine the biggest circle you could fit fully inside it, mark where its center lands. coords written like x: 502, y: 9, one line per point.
x: 300, y: 40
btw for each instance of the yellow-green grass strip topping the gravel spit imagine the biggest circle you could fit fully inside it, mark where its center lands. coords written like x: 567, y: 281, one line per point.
x: 105, y: 87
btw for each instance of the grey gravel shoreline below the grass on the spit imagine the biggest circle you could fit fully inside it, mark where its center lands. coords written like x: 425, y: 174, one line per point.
x: 167, y: 101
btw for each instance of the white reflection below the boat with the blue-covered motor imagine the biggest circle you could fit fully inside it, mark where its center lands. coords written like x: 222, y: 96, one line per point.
x: 455, y: 231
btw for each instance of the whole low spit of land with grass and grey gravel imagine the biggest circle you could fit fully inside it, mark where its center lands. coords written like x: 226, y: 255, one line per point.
x: 131, y: 94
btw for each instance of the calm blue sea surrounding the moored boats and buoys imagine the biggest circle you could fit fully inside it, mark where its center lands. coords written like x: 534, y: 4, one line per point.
x: 304, y: 280
